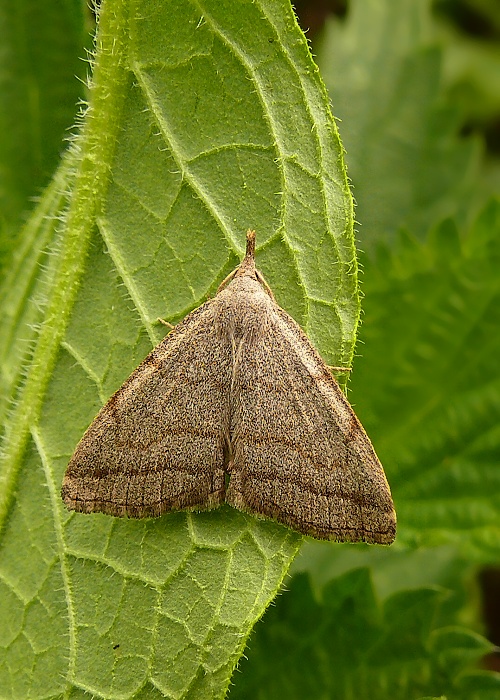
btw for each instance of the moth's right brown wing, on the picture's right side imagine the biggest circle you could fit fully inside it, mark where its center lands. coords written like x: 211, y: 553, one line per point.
x: 299, y: 453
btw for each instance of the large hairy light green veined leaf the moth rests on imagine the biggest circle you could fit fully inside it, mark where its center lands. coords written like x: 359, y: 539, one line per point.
x: 206, y: 118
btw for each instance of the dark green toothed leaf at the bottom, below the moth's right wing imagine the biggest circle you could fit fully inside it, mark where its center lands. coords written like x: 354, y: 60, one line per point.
x: 347, y: 645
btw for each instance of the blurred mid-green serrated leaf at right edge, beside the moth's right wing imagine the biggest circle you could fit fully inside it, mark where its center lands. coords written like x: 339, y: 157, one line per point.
x: 430, y: 357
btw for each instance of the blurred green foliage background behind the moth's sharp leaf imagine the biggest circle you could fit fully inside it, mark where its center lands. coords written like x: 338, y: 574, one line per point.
x: 416, y: 87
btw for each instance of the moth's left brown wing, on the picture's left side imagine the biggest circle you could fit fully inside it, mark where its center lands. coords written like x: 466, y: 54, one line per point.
x: 158, y: 443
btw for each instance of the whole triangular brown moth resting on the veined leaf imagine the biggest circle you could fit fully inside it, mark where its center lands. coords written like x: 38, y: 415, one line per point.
x: 235, y: 405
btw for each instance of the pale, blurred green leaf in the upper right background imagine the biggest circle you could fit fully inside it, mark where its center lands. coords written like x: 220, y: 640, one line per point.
x: 382, y: 66
